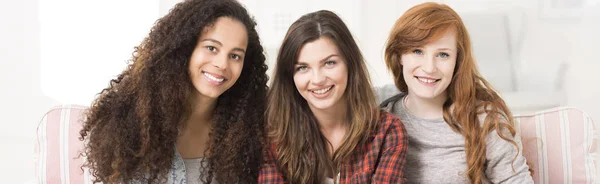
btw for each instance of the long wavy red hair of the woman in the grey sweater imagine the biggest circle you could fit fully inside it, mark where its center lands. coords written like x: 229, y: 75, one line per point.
x: 469, y: 94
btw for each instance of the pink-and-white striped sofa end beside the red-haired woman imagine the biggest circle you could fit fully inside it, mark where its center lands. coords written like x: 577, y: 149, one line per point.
x: 559, y: 145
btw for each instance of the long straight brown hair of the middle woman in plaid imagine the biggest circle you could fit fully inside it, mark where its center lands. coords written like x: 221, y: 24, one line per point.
x: 302, y: 153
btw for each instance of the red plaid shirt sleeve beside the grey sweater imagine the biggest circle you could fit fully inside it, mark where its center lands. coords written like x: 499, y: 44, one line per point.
x: 390, y: 168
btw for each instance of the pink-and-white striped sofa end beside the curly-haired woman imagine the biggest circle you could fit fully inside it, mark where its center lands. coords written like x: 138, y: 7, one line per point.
x: 59, y: 147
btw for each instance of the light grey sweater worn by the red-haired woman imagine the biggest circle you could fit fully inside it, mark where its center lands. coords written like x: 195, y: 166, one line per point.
x: 436, y: 154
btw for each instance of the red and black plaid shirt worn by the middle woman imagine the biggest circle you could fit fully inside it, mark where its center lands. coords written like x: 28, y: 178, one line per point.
x: 380, y: 160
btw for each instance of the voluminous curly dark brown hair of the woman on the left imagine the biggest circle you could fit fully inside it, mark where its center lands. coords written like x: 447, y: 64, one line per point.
x: 132, y: 127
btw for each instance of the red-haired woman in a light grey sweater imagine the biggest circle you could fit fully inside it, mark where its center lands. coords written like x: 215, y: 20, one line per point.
x: 459, y: 129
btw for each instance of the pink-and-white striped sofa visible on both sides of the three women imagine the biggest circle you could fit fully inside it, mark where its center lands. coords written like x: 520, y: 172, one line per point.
x: 559, y: 144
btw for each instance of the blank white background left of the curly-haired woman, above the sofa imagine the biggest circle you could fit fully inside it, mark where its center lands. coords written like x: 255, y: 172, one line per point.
x: 80, y: 49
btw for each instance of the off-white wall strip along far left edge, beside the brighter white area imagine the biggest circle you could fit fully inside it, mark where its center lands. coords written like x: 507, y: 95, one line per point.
x: 22, y: 102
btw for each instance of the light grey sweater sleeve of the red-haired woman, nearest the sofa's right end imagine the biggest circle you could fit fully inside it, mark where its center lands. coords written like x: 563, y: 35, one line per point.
x: 500, y: 154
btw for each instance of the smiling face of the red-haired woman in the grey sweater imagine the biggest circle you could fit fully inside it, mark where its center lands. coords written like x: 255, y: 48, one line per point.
x: 428, y: 70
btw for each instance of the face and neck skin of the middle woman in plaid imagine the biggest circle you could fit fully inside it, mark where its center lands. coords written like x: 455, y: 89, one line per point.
x: 321, y: 77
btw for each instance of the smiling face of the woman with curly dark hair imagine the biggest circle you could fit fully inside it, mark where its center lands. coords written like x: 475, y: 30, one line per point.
x: 218, y: 59
